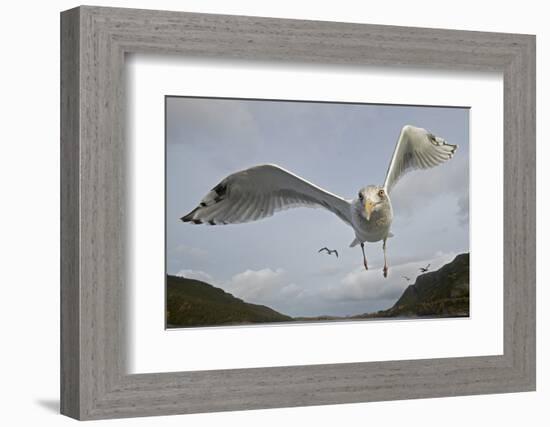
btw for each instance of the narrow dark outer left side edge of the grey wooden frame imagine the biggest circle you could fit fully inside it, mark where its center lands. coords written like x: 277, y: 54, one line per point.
x: 70, y: 291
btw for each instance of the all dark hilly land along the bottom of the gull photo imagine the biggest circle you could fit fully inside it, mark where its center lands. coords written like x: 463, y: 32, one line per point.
x: 441, y: 293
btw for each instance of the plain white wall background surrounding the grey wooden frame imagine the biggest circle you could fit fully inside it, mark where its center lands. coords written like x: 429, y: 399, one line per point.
x: 29, y: 213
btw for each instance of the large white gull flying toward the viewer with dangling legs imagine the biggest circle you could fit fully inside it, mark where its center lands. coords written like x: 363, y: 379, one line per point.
x: 260, y: 191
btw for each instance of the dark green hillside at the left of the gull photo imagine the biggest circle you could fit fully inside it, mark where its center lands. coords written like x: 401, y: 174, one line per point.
x: 195, y: 303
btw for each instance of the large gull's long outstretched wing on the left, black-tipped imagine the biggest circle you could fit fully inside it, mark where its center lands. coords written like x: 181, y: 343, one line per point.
x: 259, y: 192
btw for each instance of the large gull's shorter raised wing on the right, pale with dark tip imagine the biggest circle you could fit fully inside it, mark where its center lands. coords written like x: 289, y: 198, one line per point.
x: 416, y: 148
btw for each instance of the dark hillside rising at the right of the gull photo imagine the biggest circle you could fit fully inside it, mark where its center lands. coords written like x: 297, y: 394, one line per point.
x: 441, y: 293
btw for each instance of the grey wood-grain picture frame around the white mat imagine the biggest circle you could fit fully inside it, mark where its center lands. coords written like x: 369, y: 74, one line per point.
x: 94, y: 41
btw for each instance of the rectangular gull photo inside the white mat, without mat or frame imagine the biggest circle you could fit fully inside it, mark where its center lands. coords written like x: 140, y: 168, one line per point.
x: 298, y: 211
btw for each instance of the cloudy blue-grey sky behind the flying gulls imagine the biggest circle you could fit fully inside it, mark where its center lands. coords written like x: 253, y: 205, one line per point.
x: 339, y: 147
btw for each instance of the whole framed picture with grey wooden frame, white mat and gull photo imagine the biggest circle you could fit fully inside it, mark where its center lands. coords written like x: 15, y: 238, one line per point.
x: 262, y: 213
